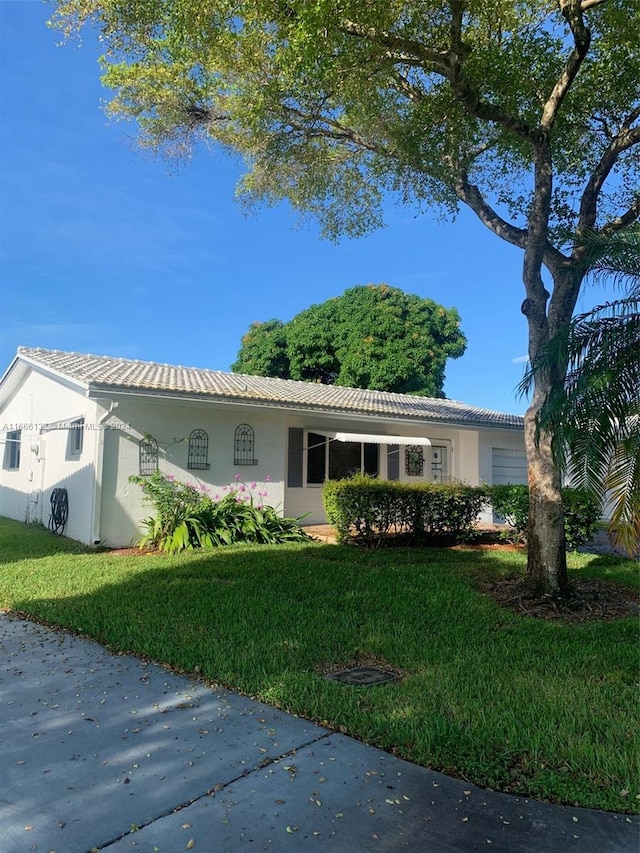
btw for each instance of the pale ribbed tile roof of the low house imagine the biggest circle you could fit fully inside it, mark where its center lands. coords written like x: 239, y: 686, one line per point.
x: 105, y: 373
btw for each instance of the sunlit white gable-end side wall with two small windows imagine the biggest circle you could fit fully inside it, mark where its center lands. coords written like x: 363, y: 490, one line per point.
x: 45, y: 461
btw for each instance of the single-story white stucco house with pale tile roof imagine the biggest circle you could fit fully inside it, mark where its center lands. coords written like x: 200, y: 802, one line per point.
x: 85, y: 423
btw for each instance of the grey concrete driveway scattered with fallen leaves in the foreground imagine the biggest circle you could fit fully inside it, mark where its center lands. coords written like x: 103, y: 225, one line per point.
x: 106, y: 752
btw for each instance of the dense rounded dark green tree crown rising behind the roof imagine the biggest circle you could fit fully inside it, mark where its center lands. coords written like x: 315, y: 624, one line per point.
x: 373, y: 336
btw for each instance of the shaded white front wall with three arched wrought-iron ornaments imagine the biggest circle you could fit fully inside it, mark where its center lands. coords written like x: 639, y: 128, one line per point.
x: 170, y: 423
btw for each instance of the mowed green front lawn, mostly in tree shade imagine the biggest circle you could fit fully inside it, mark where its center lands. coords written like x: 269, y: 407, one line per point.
x: 502, y: 700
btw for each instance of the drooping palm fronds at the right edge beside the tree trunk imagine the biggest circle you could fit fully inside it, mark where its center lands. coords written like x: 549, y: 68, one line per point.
x: 594, y: 417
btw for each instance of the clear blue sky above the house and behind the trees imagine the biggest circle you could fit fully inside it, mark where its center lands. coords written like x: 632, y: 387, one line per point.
x: 104, y: 249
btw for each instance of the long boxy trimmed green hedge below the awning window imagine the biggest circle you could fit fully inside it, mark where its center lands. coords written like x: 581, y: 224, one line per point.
x: 369, y: 511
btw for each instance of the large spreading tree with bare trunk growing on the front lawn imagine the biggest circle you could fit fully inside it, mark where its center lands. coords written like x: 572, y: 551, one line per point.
x: 526, y: 111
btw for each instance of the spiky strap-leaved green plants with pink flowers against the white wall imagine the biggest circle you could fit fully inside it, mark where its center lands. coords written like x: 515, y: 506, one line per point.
x: 186, y: 517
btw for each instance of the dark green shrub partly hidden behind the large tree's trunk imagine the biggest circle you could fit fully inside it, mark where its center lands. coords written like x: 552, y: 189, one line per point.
x: 581, y: 512
